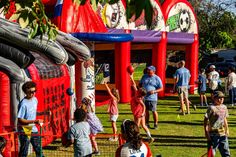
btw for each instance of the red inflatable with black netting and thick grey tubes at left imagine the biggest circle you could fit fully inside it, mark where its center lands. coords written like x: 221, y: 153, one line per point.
x: 49, y: 64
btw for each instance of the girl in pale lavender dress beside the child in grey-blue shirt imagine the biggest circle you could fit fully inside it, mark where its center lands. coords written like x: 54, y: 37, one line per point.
x: 94, y: 122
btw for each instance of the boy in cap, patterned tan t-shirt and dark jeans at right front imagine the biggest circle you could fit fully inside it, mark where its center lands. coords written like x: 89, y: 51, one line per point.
x: 216, y: 125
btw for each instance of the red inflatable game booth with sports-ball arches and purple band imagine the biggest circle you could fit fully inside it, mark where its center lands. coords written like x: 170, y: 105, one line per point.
x: 174, y: 30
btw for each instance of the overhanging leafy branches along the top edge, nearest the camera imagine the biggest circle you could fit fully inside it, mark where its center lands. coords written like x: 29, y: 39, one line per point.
x: 31, y: 13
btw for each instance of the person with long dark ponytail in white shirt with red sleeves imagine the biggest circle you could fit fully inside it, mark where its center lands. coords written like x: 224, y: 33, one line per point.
x: 134, y: 145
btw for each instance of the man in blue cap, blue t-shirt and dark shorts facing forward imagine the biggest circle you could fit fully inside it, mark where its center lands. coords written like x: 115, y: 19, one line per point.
x: 153, y: 84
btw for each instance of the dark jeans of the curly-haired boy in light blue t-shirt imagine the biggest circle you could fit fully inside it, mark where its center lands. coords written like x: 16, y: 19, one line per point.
x: 24, y: 144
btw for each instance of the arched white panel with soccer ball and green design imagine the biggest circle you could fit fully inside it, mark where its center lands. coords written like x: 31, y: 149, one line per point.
x: 181, y: 19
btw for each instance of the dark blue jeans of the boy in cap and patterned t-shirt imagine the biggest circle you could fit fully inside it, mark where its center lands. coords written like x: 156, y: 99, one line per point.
x: 220, y: 142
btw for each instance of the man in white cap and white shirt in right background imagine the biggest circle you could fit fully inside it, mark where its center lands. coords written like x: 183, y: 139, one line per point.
x: 213, y: 79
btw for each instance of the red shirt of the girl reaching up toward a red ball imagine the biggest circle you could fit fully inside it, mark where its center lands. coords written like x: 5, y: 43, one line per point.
x: 136, y: 106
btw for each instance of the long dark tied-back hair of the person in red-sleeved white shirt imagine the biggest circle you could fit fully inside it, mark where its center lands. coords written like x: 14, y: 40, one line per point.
x: 131, y: 131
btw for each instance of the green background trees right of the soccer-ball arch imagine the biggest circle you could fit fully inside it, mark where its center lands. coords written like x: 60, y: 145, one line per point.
x: 217, y: 24
